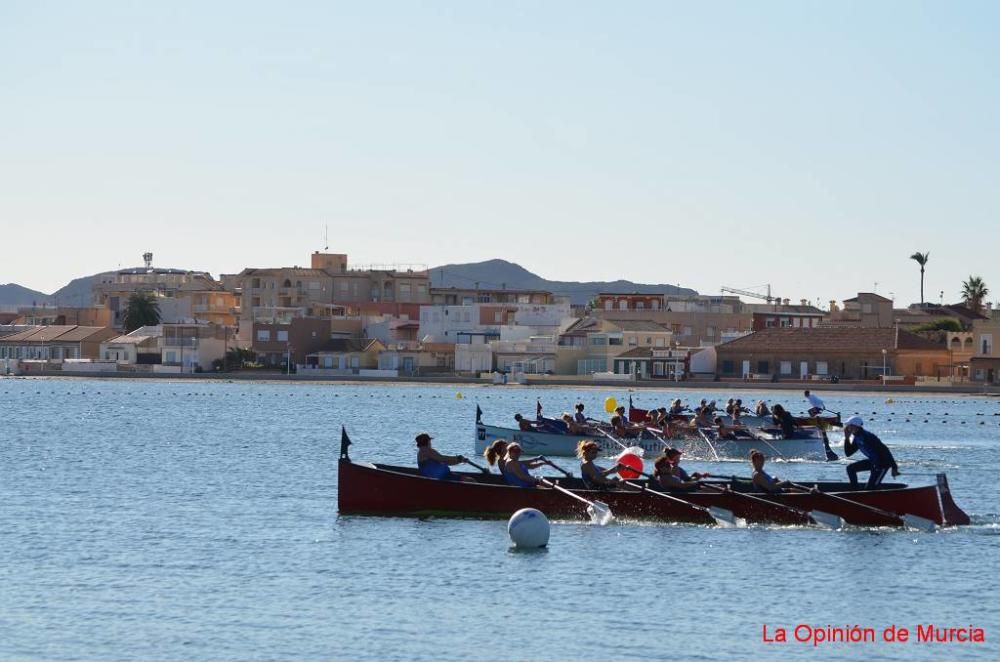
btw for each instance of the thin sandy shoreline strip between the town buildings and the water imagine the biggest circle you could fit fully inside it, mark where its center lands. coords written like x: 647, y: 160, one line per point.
x: 544, y: 382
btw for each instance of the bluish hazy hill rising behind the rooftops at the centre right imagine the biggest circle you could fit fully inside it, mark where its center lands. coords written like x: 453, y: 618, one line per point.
x: 495, y: 274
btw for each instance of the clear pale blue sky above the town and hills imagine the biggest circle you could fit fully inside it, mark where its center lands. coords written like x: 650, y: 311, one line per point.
x: 812, y: 146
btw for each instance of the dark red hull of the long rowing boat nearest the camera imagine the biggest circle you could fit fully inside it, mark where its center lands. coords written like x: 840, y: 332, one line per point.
x: 379, y: 489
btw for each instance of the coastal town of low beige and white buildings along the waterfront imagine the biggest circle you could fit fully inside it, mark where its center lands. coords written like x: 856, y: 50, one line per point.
x: 335, y: 320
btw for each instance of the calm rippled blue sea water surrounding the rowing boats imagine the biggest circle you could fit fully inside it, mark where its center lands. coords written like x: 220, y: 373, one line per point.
x: 189, y: 520
